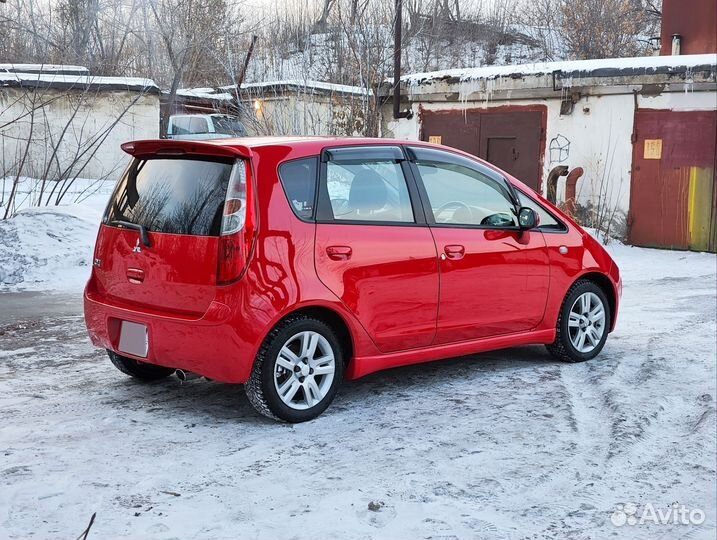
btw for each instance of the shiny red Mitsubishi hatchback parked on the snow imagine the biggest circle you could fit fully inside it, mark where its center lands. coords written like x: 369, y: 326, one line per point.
x: 287, y: 264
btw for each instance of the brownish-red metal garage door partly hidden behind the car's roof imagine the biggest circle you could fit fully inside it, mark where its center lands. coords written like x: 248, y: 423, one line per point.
x: 512, y: 138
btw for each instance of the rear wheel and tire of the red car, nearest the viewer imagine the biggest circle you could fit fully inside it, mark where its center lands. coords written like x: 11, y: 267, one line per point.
x: 290, y: 380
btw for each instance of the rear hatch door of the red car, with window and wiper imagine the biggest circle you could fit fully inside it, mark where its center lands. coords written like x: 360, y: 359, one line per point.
x: 178, y: 201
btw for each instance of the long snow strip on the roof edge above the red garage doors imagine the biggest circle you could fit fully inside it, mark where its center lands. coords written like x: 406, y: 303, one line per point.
x: 596, y: 68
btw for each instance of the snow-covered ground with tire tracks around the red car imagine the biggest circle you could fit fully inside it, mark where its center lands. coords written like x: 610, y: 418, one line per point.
x: 510, y: 444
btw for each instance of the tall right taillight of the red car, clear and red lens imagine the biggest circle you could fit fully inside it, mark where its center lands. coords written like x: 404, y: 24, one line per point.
x: 237, y: 225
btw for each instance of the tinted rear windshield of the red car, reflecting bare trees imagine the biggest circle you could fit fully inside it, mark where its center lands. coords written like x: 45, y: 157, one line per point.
x: 177, y: 196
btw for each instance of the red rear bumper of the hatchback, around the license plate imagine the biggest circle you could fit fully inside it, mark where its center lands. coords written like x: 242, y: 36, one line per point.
x: 208, y: 346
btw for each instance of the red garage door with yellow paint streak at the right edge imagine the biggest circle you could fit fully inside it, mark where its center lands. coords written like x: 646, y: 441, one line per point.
x: 672, y: 192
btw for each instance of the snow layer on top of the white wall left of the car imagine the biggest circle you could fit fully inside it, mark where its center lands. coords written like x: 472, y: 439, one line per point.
x: 70, y: 82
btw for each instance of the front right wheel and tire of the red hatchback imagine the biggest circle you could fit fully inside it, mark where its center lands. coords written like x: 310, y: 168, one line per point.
x: 575, y: 320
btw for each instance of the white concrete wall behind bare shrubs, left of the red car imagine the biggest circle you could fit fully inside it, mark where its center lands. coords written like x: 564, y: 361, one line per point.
x: 94, y: 123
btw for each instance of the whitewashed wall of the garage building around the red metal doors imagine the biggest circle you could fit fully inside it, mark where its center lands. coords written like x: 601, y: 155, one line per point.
x: 598, y: 132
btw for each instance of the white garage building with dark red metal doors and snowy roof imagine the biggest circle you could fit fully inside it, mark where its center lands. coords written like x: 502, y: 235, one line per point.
x: 642, y: 129
